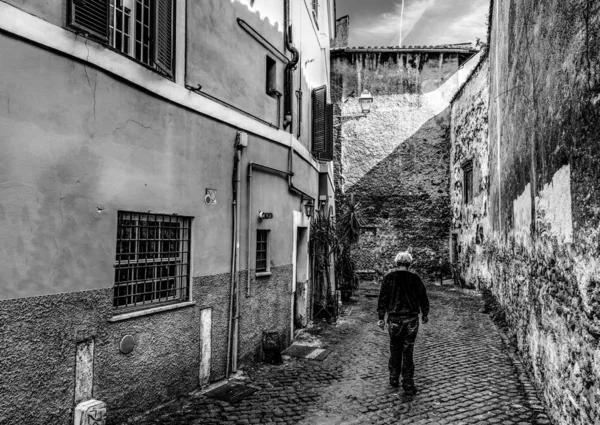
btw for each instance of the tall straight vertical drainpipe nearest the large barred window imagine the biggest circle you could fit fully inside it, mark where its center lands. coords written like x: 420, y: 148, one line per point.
x: 234, y: 305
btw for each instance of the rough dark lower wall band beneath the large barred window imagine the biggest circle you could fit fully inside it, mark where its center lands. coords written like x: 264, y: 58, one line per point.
x: 37, y: 356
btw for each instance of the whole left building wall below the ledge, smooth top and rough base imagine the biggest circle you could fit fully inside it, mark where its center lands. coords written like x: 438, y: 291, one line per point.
x: 78, y: 146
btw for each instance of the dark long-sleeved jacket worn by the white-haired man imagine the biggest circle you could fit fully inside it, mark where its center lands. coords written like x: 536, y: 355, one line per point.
x: 402, y: 295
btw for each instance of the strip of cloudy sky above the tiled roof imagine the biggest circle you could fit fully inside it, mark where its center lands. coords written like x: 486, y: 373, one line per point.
x: 426, y: 22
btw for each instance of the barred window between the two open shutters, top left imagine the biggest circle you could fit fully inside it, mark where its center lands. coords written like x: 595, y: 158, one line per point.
x: 133, y: 40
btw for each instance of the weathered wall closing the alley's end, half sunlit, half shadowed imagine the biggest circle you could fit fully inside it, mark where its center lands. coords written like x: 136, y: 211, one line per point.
x: 395, y: 160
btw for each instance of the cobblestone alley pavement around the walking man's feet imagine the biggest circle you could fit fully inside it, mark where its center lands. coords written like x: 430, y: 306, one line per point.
x: 464, y: 372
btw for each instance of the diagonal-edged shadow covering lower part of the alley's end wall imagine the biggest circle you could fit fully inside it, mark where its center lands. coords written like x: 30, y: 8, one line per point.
x: 405, y: 199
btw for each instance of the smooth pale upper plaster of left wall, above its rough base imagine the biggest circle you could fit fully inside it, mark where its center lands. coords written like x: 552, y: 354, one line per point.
x: 76, y: 152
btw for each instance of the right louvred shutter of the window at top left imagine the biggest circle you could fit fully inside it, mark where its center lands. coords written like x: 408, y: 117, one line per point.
x: 163, y: 36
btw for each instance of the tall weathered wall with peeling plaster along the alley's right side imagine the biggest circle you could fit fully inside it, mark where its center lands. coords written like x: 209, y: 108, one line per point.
x: 540, y: 255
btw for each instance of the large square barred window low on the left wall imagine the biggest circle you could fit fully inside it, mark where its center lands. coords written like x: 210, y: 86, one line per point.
x: 153, y: 259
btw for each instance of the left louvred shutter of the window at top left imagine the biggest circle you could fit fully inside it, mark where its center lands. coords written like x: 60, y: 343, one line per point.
x: 90, y: 16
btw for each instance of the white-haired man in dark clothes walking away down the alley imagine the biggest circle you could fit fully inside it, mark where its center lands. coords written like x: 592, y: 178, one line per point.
x: 402, y: 297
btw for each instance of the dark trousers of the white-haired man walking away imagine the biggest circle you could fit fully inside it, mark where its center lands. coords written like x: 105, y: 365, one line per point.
x: 403, y: 332
